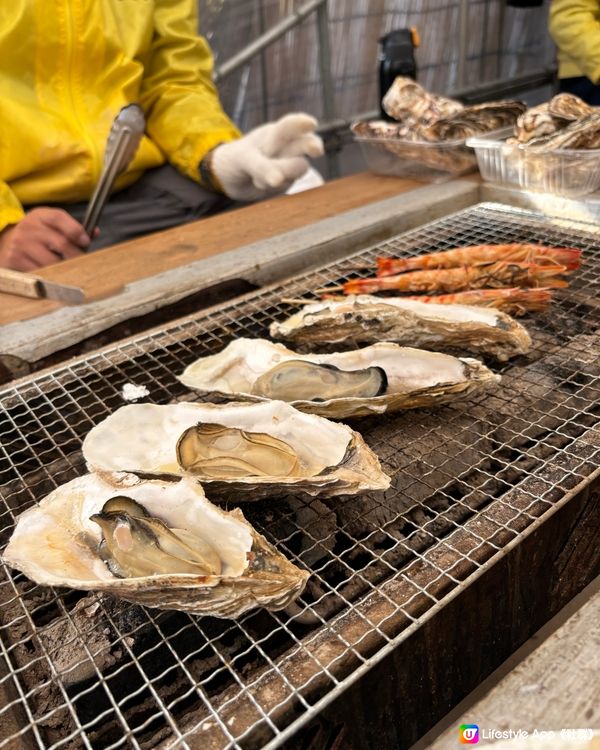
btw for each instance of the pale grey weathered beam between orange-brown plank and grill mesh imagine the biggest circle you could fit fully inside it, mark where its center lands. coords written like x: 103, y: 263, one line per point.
x: 259, y: 263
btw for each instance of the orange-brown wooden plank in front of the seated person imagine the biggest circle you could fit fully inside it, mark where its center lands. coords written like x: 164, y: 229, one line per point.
x: 103, y: 273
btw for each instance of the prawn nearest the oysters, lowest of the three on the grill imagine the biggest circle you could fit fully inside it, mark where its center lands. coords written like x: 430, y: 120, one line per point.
x: 514, y: 301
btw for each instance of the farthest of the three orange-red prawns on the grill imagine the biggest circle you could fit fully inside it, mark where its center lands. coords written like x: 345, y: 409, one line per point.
x: 475, y: 255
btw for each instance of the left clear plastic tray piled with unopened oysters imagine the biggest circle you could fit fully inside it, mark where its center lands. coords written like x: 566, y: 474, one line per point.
x: 427, y: 137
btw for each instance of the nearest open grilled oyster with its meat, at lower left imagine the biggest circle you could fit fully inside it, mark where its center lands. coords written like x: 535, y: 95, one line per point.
x: 190, y: 555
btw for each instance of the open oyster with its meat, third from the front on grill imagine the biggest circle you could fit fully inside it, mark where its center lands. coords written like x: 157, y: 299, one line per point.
x: 390, y: 377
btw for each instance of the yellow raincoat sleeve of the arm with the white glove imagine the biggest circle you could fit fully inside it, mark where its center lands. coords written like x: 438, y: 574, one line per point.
x: 184, y: 114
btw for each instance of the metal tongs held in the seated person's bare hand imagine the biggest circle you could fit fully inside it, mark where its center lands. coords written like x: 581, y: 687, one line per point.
x: 123, y: 140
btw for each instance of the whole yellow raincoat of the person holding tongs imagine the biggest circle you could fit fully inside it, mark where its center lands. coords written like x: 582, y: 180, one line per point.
x: 68, y: 66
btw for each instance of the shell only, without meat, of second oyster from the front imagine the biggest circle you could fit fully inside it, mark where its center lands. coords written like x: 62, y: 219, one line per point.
x: 143, y: 439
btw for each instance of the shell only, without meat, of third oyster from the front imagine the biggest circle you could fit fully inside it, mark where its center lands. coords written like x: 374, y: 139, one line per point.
x: 415, y: 378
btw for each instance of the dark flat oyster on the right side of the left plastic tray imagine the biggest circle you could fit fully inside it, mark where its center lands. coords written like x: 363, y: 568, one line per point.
x: 478, y: 118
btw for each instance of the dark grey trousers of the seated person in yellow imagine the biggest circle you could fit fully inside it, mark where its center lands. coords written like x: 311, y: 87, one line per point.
x: 162, y: 198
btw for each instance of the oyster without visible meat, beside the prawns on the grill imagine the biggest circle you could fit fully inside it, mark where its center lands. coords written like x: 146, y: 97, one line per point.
x: 365, y: 318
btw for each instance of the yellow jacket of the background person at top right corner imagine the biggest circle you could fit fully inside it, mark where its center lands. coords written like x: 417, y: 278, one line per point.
x: 575, y: 27
